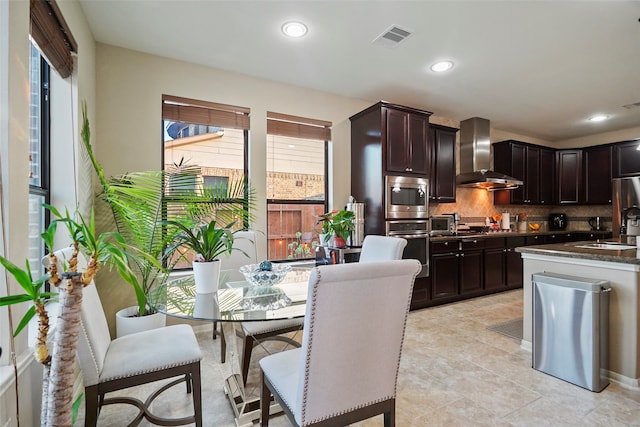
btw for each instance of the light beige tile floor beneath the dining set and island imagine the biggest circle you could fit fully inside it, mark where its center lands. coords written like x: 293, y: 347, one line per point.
x: 454, y: 372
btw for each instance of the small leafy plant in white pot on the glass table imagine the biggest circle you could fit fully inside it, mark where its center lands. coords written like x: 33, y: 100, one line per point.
x: 208, y: 243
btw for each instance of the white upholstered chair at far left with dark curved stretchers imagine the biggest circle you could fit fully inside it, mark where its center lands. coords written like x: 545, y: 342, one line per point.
x: 144, y: 357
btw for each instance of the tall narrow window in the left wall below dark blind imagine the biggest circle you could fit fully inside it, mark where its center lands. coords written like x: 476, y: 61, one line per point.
x: 39, y: 138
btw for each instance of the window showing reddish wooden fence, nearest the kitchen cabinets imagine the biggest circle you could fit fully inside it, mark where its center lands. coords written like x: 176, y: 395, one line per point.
x: 296, y: 184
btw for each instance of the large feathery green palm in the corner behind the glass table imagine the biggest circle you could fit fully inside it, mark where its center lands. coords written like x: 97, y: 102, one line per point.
x: 140, y: 201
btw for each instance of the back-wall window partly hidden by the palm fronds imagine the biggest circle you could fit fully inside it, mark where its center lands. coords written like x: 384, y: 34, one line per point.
x: 214, y: 137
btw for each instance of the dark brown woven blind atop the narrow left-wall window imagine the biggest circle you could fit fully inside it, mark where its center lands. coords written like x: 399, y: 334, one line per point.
x: 52, y: 35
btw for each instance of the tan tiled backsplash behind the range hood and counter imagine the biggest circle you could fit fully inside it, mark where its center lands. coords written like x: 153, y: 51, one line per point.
x: 474, y: 205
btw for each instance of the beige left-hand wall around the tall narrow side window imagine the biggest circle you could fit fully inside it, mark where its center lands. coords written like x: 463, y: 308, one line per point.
x: 14, y: 146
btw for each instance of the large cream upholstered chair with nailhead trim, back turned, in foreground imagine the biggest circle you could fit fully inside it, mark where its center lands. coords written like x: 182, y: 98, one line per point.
x: 341, y: 378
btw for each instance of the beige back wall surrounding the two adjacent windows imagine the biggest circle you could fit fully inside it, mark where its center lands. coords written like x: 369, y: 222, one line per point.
x: 128, y: 131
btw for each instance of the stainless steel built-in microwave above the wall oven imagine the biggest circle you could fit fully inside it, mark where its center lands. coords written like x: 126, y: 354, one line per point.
x: 406, y: 197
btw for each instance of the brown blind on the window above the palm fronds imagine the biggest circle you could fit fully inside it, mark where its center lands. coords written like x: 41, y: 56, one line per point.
x: 204, y: 113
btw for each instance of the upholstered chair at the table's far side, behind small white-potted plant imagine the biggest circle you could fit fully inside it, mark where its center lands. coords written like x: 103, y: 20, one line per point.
x: 252, y: 333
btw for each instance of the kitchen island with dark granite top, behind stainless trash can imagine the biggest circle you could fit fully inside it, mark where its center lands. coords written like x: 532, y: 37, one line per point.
x: 622, y: 269
